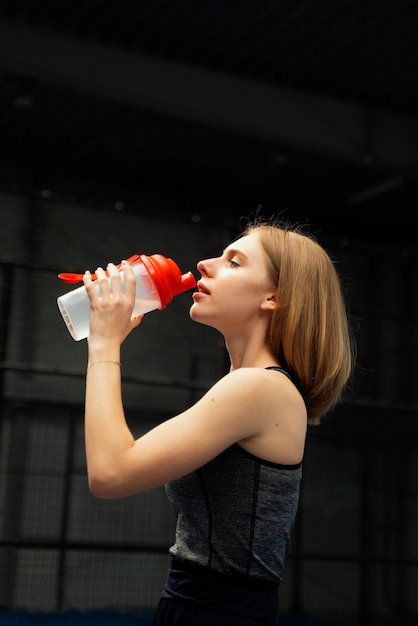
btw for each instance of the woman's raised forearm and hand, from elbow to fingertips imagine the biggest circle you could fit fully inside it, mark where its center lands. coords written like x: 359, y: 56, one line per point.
x: 106, y: 431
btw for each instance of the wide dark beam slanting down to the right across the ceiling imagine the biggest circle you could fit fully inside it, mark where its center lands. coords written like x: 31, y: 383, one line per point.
x: 297, y: 120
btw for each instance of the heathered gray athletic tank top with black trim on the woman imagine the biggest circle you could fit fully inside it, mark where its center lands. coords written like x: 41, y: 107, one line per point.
x: 235, y: 514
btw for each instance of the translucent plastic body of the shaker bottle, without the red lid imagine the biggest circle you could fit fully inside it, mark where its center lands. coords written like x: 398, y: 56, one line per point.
x: 74, y: 306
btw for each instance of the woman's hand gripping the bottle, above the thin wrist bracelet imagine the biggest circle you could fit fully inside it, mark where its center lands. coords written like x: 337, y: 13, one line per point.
x: 111, y: 306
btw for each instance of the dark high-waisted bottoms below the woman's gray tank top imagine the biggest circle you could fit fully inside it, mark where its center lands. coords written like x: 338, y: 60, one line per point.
x: 197, y: 597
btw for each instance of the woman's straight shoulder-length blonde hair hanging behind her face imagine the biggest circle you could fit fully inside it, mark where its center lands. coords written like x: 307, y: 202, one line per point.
x: 309, y: 330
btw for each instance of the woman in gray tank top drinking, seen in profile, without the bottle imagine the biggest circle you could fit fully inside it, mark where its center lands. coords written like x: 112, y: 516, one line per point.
x: 232, y: 462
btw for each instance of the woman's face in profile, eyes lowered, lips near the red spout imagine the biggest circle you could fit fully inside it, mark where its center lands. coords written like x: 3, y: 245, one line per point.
x: 234, y: 289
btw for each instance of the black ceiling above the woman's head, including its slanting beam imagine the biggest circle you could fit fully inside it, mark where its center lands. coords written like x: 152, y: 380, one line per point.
x: 211, y: 108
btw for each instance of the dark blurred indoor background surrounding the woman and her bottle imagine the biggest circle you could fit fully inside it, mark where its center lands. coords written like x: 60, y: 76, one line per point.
x: 162, y: 127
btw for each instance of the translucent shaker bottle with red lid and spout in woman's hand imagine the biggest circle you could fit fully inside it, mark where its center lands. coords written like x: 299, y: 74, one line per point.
x: 158, y: 280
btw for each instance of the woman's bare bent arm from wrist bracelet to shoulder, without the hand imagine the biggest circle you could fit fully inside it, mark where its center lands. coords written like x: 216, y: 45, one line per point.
x: 235, y: 409
